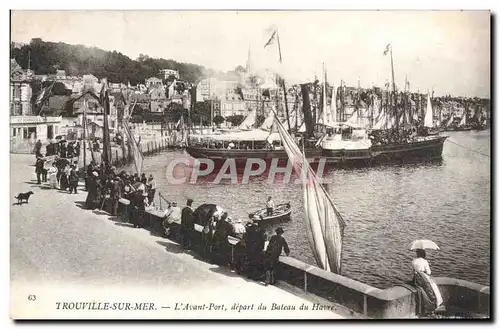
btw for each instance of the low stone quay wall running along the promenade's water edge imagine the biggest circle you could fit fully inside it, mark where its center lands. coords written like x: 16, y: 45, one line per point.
x: 394, y: 302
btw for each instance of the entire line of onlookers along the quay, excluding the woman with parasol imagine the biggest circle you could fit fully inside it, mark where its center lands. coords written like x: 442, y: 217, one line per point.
x: 103, y: 182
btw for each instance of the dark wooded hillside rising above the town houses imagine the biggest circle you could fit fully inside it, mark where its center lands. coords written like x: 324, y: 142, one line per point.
x: 47, y: 57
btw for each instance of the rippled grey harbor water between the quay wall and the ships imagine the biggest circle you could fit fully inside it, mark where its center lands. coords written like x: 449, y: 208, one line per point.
x: 384, y: 207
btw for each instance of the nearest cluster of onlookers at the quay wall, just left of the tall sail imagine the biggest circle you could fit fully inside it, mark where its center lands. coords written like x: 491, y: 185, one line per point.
x: 251, y: 257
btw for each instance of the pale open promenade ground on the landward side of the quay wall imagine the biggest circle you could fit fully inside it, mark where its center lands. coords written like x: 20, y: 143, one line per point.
x: 61, y: 252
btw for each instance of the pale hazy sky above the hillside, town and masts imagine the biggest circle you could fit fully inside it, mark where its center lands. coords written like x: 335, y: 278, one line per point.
x: 448, y: 51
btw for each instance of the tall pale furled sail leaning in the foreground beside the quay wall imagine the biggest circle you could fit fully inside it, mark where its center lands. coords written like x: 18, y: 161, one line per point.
x: 324, y: 224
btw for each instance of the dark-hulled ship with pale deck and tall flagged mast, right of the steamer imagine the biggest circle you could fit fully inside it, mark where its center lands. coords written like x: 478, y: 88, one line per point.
x: 350, y: 145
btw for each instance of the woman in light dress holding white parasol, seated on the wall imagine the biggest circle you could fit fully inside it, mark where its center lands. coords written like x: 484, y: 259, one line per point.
x: 421, y: 275
